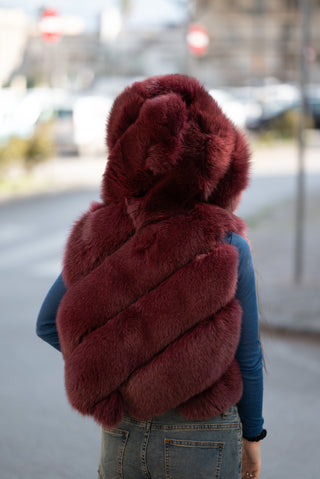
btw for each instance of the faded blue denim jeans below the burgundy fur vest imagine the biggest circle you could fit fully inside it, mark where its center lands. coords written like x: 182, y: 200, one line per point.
x: 172, y: 447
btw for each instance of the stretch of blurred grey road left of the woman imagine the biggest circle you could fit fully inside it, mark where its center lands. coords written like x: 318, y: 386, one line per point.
x: 41, y: 437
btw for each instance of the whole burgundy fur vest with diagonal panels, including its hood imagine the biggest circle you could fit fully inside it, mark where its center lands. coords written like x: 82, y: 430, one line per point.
x: 149, y: 321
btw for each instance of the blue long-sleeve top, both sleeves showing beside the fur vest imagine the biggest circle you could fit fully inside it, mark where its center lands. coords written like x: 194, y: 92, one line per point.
x: 249, y: 353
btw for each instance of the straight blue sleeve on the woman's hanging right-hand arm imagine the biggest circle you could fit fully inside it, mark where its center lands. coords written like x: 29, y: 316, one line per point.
x: 249, y: 353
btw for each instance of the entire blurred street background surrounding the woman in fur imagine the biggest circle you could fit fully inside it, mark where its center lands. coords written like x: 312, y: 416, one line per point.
x: 61, y: 66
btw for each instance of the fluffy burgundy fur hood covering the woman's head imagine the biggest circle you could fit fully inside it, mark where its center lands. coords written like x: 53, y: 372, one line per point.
x: 168, y: 139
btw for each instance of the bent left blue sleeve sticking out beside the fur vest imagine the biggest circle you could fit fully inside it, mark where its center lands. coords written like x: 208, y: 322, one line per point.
x: 46, y: 323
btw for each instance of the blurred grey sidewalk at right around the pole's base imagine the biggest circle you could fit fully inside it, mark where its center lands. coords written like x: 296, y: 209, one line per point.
x: 284, y: 305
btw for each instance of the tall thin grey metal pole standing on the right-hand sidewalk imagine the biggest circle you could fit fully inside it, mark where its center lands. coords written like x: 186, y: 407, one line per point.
x: 304, y: 77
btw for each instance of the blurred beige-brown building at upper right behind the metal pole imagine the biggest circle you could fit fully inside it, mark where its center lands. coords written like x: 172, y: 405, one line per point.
x: 254, y: 39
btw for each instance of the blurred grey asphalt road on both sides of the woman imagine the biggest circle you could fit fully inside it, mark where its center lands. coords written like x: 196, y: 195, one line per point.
x: 40, y: 436
